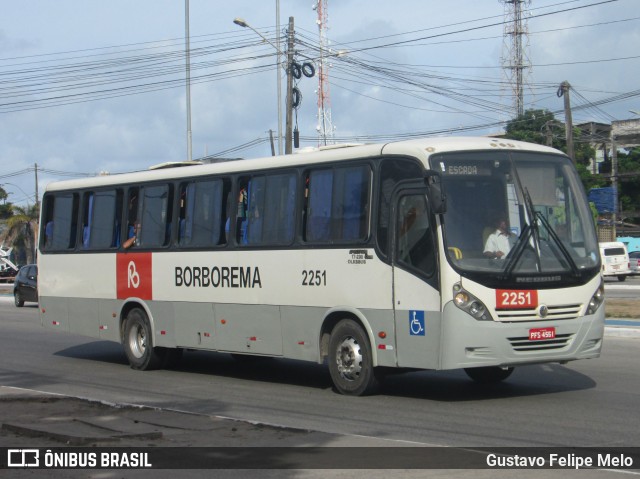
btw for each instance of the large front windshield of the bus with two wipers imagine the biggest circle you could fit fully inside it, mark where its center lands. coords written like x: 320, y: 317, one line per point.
x: 517, y: 217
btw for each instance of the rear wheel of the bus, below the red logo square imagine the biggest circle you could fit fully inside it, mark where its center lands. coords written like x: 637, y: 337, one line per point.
x: 138, y: 342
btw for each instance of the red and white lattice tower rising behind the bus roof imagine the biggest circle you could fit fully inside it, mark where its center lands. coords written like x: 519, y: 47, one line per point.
x: 325, y: 126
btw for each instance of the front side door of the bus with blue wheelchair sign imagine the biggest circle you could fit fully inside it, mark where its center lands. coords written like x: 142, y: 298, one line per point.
x: 415, y: 280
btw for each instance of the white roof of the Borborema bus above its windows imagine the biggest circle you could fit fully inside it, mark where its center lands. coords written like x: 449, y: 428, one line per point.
x: 420, y: 148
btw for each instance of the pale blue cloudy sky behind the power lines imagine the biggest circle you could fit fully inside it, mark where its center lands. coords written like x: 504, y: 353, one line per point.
x: 88, y: 87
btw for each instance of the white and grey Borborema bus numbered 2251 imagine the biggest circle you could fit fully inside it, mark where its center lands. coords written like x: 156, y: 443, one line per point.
x: 366, y: 257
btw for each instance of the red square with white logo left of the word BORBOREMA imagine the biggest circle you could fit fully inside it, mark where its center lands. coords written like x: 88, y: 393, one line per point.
x: 133, y: 275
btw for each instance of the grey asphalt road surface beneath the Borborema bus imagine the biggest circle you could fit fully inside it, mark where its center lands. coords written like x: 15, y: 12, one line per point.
x: 584, y: 403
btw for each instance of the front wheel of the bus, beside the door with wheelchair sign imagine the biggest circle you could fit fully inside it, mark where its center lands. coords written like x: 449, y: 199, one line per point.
x: 350, y: 360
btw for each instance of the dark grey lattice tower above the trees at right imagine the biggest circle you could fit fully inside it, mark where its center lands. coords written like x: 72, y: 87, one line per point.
x: 515, y: 60
